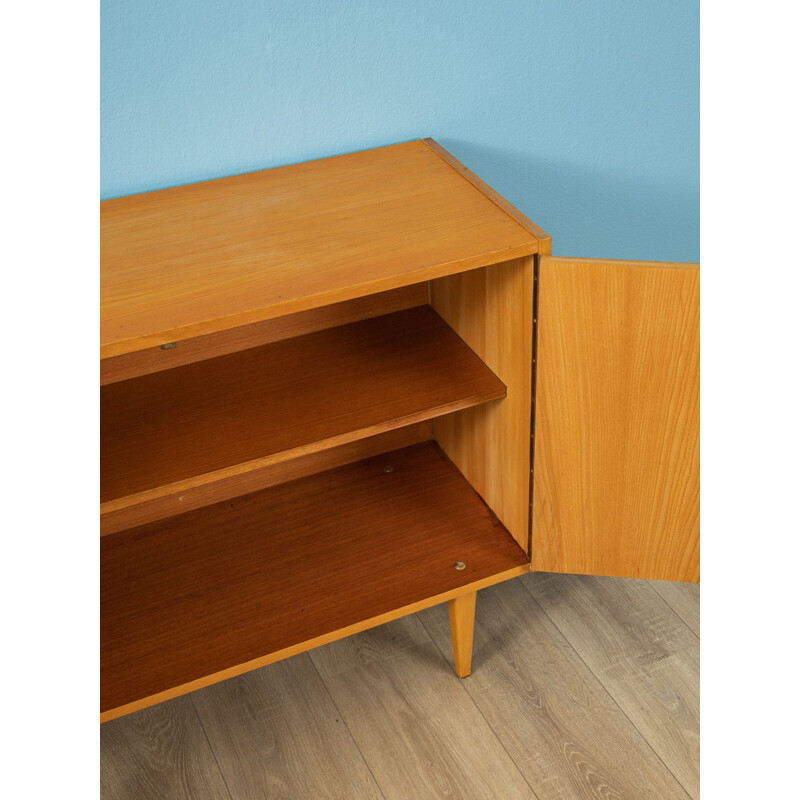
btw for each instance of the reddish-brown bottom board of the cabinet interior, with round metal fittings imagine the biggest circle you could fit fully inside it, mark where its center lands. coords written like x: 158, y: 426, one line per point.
x: 210, y: 594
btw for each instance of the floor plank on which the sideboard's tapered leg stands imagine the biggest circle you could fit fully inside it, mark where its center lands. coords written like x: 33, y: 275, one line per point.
x: 566, y: 735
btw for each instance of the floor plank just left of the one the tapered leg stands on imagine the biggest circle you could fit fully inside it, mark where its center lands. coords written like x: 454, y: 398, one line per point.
x: 416, y: 727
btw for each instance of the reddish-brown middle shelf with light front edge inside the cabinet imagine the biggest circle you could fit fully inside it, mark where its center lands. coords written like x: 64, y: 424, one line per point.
x: 209, y: 424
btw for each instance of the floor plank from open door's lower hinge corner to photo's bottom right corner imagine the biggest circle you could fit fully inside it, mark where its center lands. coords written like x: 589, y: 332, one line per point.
x: 643, y: 654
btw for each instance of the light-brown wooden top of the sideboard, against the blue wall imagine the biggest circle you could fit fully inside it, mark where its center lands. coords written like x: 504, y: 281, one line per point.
x: 211, y: 256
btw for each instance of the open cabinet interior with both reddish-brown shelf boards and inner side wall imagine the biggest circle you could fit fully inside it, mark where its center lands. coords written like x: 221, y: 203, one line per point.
x: 353, y: 463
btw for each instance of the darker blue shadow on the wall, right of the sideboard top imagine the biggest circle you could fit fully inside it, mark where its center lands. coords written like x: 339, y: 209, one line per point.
x: 592, y: 212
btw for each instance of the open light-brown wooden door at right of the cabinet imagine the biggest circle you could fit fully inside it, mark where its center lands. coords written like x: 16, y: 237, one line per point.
x: 616, y: 484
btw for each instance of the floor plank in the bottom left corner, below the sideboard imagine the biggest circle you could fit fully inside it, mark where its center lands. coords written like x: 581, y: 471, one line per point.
x: 160, y: 754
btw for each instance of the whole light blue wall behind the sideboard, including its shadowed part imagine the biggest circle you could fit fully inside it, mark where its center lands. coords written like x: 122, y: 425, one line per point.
x: 584, y: 114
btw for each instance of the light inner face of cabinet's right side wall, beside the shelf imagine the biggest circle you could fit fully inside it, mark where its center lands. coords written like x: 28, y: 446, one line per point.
x: 491, y: 309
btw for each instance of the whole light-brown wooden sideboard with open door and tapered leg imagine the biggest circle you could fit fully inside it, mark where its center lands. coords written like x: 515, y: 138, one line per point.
x: 318, y: 392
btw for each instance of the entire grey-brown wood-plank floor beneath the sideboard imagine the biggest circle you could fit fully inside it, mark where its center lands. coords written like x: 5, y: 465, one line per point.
x: 582, y: 687
